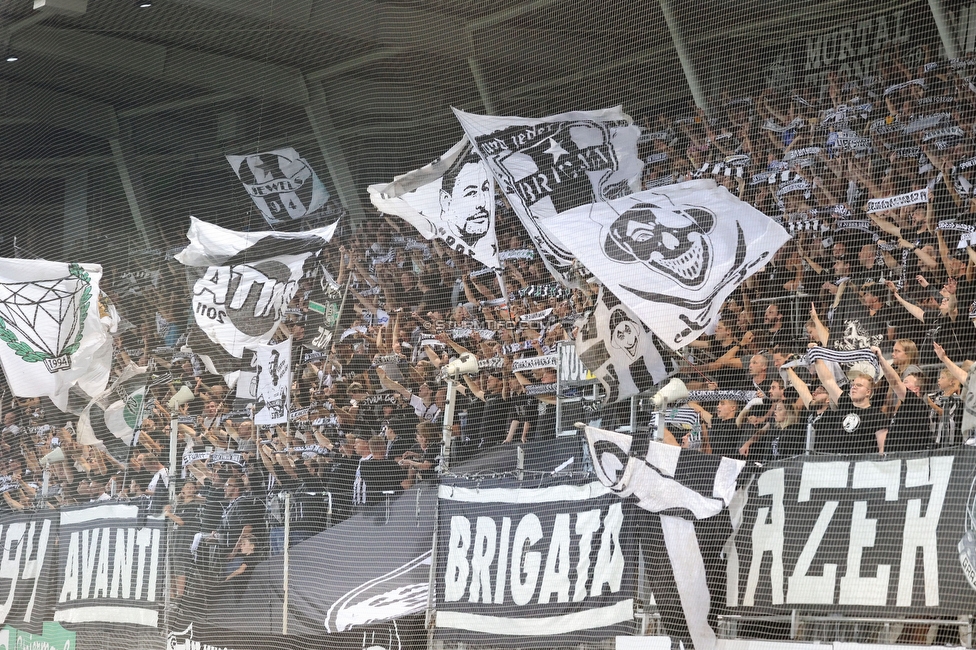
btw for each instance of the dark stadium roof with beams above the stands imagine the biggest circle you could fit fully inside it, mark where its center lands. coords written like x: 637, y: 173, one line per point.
x: 116, y: 115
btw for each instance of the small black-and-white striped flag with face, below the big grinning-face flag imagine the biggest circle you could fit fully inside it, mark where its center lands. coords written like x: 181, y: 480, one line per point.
x: 618, y: 349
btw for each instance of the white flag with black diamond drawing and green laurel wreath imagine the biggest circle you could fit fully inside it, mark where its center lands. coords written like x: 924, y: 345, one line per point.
x: 51, y: 334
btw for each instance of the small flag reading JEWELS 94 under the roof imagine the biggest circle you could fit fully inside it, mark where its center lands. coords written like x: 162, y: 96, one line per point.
x: 281, y: 183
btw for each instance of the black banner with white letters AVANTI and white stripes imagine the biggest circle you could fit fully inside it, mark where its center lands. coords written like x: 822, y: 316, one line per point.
x: 111, y: 564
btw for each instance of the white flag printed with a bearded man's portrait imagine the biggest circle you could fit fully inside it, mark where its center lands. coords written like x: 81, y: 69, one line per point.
x: 451, y: 199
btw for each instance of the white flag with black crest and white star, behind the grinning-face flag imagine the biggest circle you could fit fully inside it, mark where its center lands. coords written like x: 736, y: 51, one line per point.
x: 553, y: 164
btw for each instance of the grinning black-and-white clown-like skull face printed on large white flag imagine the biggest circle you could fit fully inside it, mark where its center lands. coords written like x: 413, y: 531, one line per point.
x: 672, y: 242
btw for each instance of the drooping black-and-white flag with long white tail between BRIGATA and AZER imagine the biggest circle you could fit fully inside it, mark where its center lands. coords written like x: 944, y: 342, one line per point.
x: 681, y: 485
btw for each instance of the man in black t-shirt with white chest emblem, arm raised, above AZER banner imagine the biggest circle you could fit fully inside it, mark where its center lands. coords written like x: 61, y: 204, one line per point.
x: 853, y: 423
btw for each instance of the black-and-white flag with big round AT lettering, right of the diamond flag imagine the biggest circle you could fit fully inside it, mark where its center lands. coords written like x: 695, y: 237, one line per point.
x: 241, y: 284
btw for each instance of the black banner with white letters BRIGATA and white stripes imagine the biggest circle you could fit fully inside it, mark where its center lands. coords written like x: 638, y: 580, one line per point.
x: 552, y: 565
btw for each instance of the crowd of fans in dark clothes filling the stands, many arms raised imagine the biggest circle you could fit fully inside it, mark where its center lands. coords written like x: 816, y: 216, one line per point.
x: 895, y: 284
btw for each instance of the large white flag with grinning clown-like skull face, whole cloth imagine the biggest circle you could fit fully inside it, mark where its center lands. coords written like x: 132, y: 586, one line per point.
x: 672, y: 254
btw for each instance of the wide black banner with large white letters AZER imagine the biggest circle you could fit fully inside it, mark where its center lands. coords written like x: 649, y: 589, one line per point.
x: 890, y: 536
